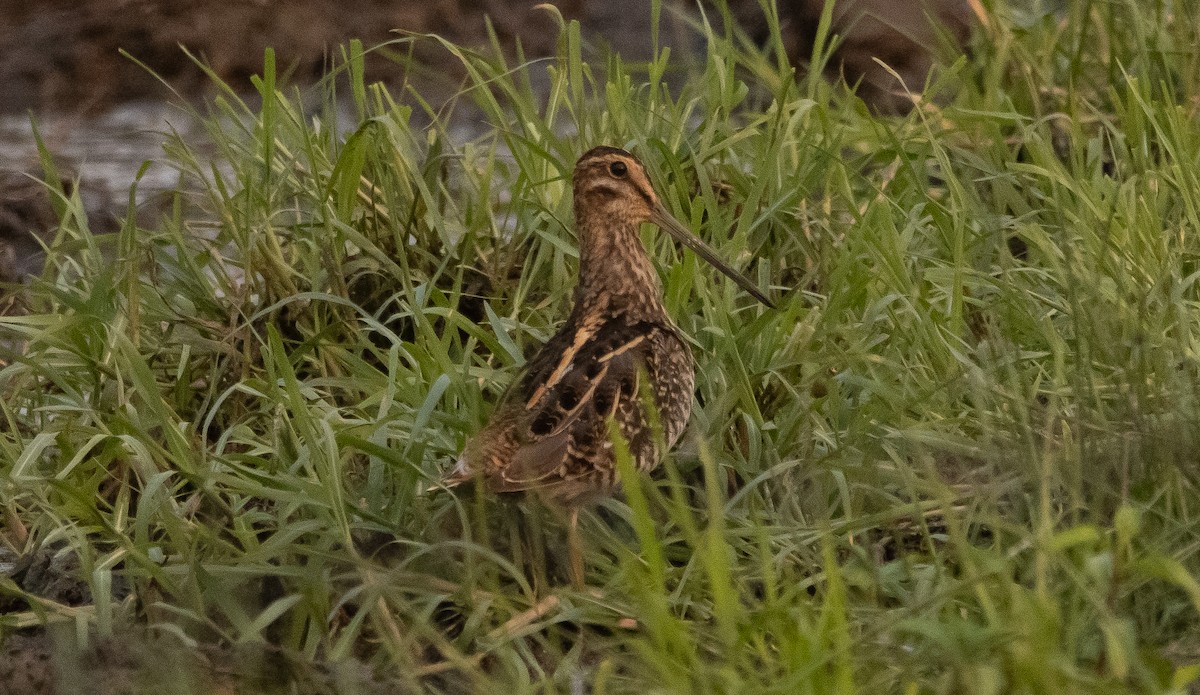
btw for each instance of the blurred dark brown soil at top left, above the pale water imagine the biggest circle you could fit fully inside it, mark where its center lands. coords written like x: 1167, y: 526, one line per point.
x: 65, y: 55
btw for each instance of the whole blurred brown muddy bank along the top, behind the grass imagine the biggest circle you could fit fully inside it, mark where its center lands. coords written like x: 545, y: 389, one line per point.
x: 65, y: 56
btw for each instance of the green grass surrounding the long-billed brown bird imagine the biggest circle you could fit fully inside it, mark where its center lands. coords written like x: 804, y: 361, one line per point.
x: 959, y: 458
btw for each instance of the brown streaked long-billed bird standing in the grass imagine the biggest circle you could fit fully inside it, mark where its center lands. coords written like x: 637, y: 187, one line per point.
x: 620, y: 358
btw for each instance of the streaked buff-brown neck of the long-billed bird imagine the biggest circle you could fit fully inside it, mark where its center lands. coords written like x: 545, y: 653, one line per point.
x: 616, y: 273
